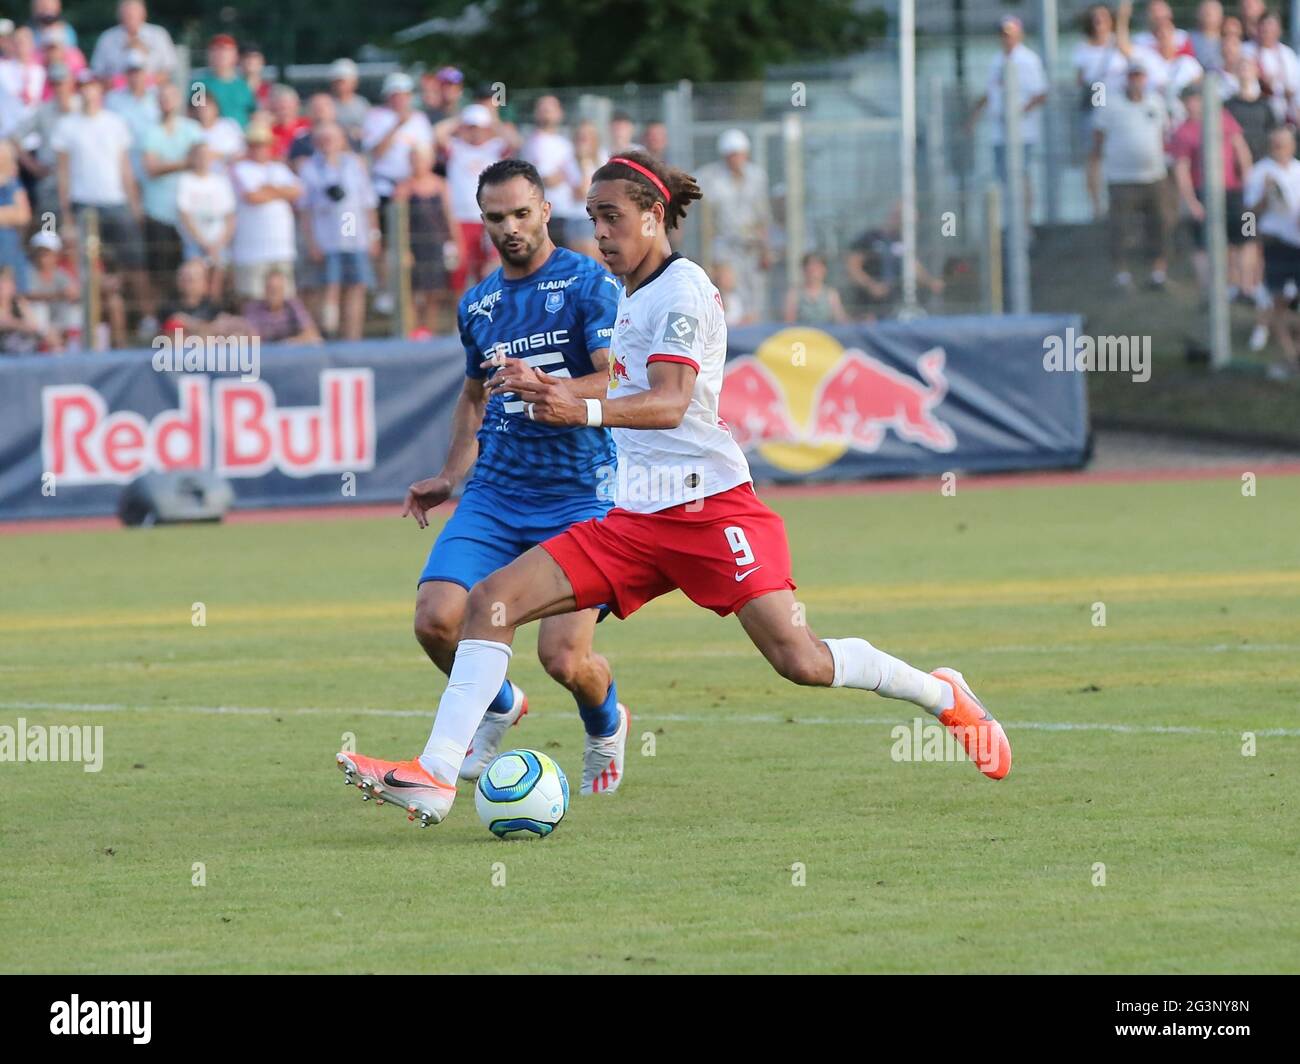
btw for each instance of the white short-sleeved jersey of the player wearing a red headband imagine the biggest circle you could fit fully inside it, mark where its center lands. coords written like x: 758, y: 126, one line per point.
x: 674, y: 317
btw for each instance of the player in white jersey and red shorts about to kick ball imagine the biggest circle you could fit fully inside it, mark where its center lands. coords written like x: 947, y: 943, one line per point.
x: 686, y: 517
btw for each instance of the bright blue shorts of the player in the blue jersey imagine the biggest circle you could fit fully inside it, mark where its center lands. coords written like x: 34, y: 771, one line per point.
x: 491, y: 530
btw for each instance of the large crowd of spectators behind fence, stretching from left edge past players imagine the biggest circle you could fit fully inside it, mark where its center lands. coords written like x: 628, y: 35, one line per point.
x: 222, y: 197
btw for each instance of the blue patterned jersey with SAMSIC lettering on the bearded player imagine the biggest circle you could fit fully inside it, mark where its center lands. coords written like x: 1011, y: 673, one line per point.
x: 553, y: 321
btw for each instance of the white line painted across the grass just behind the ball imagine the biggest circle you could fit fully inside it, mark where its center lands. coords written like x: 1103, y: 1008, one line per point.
x: 683, y: 719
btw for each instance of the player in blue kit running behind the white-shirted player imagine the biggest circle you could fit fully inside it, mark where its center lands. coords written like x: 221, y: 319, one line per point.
x: 553, y: 310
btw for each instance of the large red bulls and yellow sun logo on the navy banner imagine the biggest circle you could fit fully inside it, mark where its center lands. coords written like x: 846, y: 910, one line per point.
x: 803, y: 401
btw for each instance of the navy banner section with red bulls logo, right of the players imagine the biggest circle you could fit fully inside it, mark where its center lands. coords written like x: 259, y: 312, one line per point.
x: 904, y: 399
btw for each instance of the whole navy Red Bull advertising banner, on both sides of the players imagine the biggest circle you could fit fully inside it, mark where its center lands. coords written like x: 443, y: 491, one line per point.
x: 362, y: 421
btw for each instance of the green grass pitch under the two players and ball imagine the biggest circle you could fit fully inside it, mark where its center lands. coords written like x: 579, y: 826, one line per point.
x: 772, y: 831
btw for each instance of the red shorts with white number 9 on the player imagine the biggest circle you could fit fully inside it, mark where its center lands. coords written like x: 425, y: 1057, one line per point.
x: 722, y: 552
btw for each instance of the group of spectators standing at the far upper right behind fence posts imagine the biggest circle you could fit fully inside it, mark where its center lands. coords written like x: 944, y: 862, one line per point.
x: 1142, y: 109
